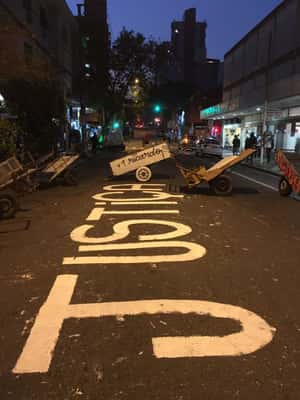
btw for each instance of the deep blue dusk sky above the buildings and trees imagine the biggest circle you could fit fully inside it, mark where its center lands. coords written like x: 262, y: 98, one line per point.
x: 228, y: 20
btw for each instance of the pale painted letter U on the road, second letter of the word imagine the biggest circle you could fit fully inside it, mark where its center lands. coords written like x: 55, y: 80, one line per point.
x: 195, y: 252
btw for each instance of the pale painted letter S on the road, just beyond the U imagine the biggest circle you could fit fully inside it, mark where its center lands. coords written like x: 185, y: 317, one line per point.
x: 121, y: 231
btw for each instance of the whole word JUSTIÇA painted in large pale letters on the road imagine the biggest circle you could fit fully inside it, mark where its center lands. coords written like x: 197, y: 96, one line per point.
x: 39, y: 348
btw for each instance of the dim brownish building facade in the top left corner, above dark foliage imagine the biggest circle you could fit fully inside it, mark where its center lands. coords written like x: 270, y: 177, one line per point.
x: 38, y: 39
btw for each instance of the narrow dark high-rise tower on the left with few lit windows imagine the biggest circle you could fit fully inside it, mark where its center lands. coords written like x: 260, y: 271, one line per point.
x: 94, y: 51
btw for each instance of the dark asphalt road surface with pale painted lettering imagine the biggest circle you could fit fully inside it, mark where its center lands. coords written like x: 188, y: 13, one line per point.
x: 199, y: 301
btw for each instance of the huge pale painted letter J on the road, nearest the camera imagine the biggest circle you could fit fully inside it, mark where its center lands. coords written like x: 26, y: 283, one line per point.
x: 38, y: 351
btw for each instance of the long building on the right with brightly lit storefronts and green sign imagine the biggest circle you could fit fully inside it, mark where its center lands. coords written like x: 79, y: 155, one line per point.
x: 261, y: 91
